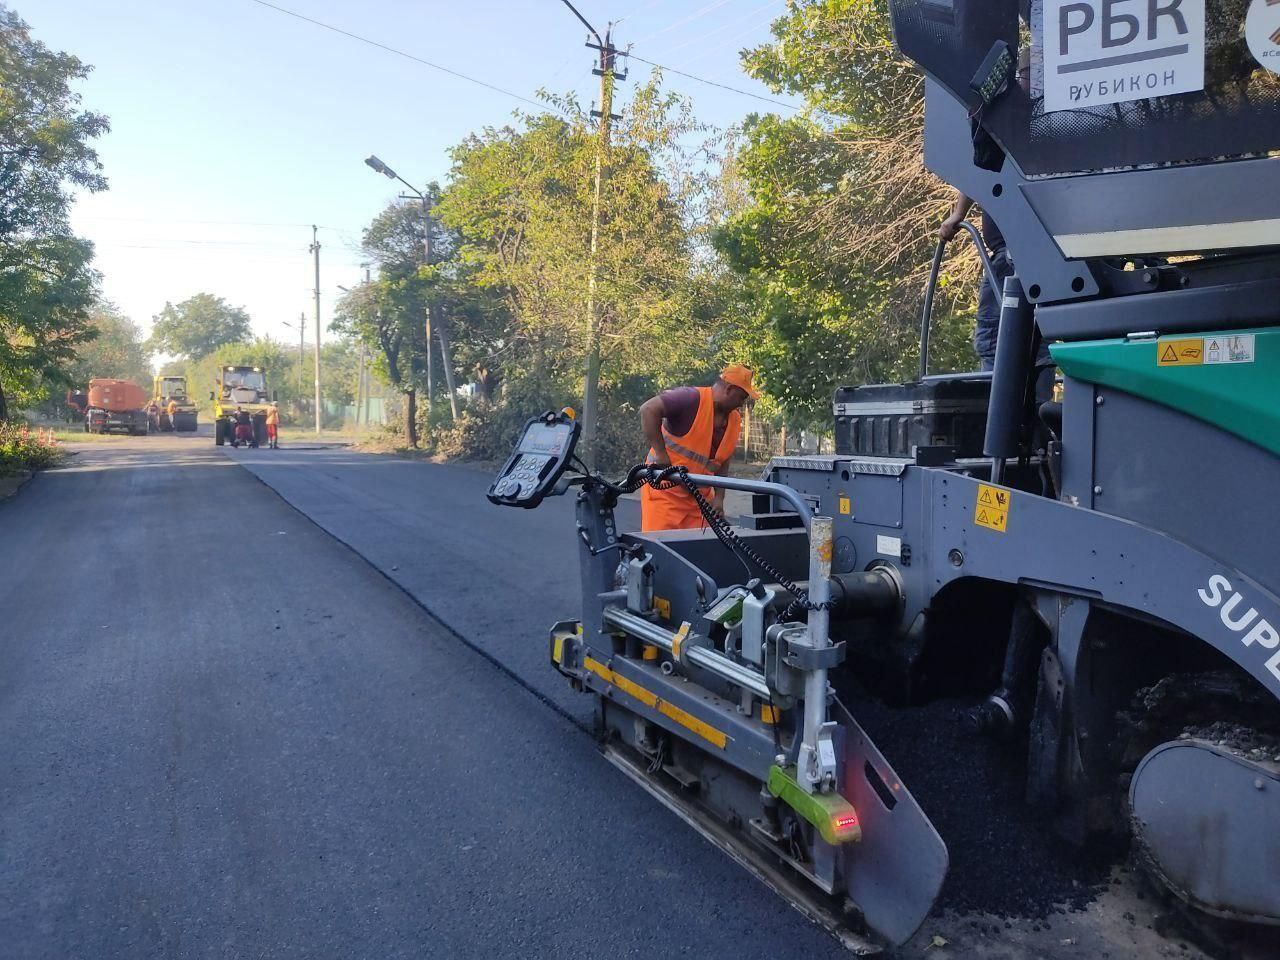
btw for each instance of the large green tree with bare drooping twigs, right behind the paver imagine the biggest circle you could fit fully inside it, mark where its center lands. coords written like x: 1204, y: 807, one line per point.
x: 840, y: 221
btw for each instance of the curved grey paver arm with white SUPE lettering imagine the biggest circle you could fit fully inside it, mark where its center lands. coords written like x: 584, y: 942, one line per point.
x: 1064, y: 548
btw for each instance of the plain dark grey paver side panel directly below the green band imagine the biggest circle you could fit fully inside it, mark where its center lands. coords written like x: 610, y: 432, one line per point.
x: 1174, y: 473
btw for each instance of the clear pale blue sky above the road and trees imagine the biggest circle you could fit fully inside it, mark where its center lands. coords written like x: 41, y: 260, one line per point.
x: 235, y: 127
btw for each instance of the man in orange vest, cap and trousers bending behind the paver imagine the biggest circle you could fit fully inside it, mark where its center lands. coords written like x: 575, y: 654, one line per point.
x: 696, y: 428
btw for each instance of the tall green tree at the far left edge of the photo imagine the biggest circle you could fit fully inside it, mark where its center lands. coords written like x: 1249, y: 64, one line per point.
x: 47, y: 281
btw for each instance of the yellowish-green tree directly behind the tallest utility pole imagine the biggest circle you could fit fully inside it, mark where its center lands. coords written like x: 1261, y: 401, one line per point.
x: 520, y: 200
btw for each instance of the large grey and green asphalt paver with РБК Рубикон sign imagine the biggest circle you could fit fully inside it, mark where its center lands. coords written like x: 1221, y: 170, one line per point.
x: 1104, y: 568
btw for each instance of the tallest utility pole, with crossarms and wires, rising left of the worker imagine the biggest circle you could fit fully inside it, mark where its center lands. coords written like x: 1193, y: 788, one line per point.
x: 592, y: 382
